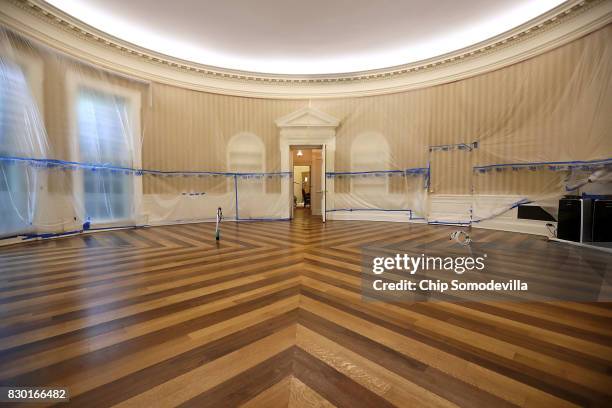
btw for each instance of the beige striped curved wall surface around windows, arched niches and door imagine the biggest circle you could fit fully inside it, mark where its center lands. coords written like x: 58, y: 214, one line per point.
x: 551, y: 107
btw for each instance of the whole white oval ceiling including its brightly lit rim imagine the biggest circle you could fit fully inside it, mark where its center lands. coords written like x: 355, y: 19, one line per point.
x: 304, y: 36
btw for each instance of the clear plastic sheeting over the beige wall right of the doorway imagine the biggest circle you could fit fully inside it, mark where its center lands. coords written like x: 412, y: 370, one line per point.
x: 543, y: 125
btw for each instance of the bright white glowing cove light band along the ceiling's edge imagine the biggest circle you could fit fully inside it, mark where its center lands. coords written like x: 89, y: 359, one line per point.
x: 407, y: 53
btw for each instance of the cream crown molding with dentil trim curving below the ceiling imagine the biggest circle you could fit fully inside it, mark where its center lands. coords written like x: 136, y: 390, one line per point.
x: 37, y: 20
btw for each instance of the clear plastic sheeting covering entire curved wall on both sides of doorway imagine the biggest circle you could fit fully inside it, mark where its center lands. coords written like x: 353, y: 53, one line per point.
x: 84, y: 147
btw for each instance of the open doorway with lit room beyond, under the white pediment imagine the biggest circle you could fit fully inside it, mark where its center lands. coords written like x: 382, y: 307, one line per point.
x: 308, y: 180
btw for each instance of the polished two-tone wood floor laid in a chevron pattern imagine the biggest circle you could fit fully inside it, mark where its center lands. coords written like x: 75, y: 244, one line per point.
x: 272, y: 316
